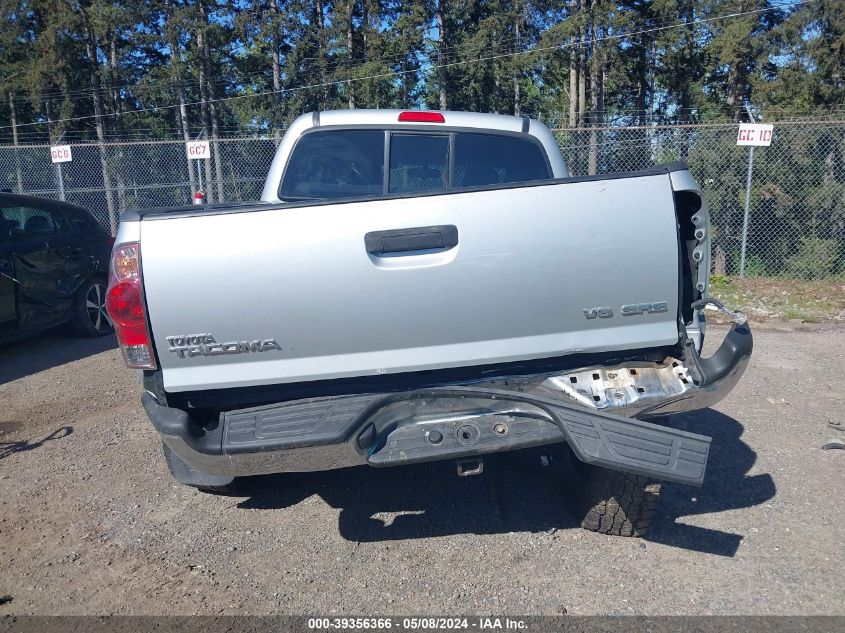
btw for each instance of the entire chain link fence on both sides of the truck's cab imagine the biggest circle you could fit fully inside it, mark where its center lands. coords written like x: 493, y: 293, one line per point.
x: 796, y: 220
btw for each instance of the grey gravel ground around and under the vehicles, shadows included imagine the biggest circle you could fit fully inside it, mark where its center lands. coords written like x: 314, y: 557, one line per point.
x: 91, y: 522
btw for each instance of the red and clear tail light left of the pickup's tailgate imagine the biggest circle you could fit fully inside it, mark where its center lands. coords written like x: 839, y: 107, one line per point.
x: 125, y: 305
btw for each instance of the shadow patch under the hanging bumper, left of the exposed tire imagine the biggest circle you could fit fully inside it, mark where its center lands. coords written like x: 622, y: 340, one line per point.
x: 513, y: 494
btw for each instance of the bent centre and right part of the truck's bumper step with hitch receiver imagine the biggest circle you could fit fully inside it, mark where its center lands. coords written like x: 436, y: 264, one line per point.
x: 527, y: 419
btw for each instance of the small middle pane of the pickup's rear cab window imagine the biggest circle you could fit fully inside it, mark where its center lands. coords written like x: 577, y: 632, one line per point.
x: 418, y: 162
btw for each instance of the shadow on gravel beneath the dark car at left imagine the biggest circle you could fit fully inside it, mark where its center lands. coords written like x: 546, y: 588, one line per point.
x: 46, y: 350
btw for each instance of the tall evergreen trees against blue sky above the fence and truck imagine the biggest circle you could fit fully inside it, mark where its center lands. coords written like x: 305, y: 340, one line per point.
x: 597, y: 61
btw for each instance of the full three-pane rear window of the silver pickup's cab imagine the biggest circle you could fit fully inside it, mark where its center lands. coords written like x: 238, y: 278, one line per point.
x: 333, y: 164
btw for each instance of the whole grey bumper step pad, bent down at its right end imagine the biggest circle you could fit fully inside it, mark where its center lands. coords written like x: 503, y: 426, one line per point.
x: 599, y: 438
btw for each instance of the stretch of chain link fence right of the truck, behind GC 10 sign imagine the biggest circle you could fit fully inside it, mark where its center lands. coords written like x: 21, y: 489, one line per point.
x: 796, y: 219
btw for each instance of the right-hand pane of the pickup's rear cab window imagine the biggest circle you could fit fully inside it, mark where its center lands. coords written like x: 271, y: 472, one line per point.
x: 489, y: 159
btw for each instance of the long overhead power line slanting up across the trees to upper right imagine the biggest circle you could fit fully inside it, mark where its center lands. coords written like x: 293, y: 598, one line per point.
x: 396, y: 73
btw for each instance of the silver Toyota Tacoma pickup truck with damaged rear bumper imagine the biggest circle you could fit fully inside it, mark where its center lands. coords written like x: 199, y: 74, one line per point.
x: 420, y: 286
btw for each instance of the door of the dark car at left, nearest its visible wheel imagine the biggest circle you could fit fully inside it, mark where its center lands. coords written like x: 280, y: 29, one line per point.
x: 39, y: 272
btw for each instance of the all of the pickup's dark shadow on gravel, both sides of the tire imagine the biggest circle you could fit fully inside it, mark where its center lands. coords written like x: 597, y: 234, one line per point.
x: 515, y: 493
